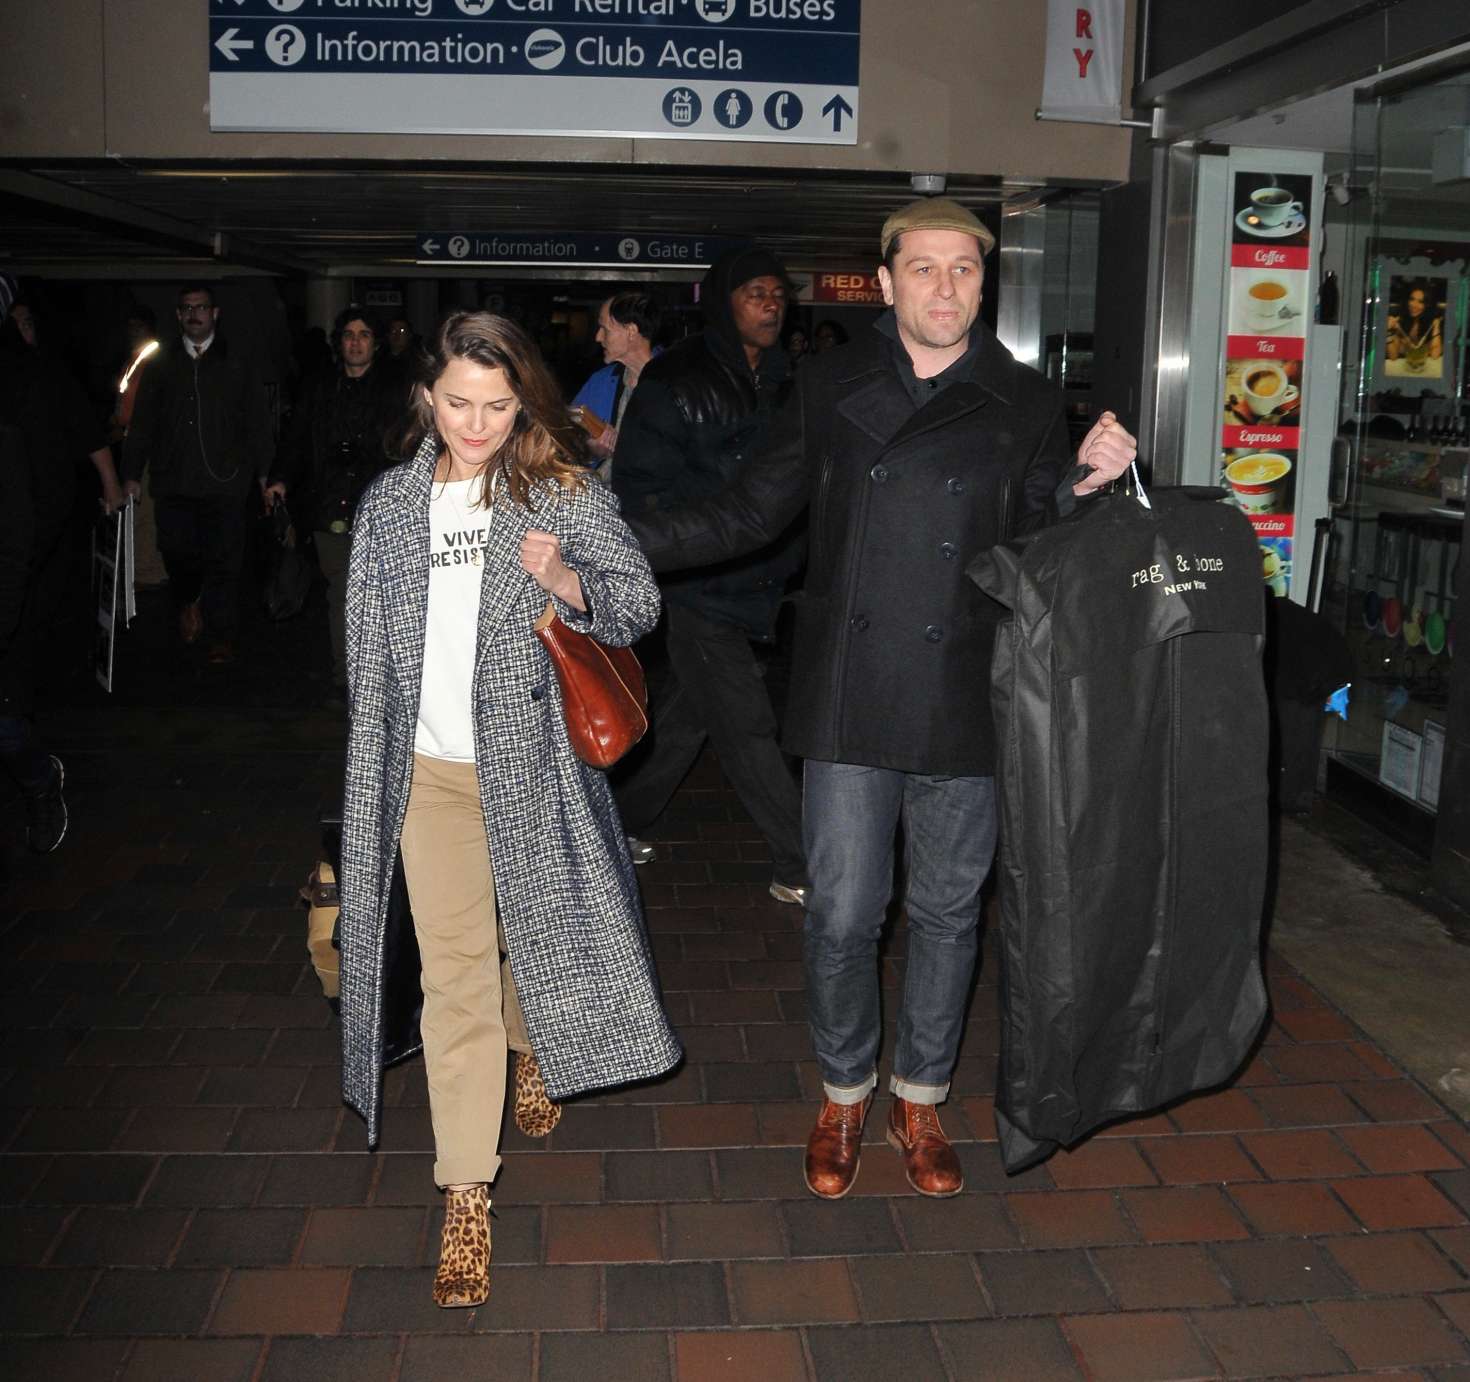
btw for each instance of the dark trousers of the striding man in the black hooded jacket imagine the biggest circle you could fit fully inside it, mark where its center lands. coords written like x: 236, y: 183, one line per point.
x: 715, y: 690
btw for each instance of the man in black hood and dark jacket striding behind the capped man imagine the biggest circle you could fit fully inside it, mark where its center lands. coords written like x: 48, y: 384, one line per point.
x: 699, y: 418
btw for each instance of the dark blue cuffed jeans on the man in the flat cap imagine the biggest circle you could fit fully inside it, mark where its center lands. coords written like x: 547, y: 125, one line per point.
x: 852, y: 815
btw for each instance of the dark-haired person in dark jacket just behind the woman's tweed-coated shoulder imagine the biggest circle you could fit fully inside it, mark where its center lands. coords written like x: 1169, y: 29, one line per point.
x: 334, y: 446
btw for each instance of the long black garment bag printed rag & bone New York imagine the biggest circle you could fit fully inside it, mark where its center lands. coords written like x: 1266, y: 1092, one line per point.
x: 1133, y: 730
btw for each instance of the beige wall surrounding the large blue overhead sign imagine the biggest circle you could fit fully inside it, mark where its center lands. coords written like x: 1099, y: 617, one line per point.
x: 947, y: 86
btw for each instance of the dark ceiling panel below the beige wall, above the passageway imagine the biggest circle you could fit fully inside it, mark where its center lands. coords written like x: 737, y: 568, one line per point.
x: 352, y: 217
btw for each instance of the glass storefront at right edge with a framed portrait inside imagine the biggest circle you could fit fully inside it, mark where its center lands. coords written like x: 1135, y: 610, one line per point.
x: 1402, y: 210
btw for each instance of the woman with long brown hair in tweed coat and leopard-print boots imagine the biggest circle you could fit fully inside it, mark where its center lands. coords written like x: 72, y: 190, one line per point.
x: 526, y: 912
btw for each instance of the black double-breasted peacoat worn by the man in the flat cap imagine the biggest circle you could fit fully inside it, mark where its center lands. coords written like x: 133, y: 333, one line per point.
x: 893, y: 652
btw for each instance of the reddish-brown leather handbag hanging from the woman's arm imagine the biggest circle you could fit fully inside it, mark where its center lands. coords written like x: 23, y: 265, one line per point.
x: 603, y: 693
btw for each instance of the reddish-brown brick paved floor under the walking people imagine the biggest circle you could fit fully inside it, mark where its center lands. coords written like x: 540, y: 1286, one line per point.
x: 186, y: 1197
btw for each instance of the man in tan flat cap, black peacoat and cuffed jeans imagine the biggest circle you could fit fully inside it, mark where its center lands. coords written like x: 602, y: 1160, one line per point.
x: 918, y: 446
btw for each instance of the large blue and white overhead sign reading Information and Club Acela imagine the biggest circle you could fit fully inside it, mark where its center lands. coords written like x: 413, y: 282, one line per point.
x: 781, y: 71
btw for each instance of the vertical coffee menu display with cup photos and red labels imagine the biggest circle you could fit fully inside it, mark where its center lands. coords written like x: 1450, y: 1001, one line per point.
x: 1266, y: 345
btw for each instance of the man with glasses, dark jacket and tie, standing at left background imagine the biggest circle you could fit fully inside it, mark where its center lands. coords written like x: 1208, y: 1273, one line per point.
x: 202, y: 429
